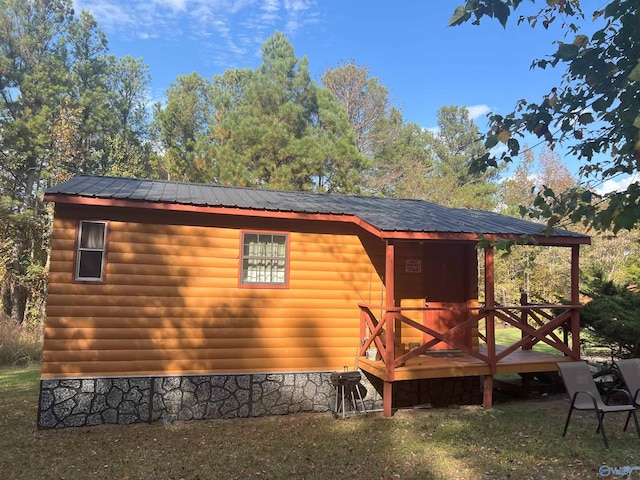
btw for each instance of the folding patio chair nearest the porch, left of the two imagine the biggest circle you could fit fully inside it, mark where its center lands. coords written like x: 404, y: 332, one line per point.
x: 584, y: 395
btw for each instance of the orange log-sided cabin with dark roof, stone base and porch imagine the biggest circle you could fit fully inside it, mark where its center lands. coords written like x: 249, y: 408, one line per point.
x: 181, y: 301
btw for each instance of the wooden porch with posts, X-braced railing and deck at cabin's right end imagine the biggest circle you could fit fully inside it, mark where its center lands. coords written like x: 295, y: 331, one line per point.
x: 458, y: 338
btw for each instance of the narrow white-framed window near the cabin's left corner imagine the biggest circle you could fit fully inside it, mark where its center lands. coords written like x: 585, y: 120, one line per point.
x: 91, y: 251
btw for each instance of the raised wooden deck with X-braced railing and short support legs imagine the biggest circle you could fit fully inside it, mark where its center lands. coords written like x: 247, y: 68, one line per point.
x: 556, y: 325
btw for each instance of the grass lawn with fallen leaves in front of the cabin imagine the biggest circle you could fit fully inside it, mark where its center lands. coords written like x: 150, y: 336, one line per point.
x: 516, y: 440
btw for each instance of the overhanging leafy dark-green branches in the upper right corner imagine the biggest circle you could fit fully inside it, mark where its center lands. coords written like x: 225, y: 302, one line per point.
x: 593, y: 109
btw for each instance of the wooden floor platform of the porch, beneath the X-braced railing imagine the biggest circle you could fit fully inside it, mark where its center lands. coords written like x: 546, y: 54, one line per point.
x: 460, y: 364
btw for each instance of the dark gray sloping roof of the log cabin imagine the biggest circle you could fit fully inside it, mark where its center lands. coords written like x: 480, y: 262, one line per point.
x: 391, y: 215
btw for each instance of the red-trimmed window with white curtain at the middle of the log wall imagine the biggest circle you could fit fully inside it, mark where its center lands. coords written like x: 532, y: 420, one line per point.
x: 264, y: 259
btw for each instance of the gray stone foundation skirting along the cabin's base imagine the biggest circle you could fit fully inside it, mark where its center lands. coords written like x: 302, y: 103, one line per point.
x: 121, y: 401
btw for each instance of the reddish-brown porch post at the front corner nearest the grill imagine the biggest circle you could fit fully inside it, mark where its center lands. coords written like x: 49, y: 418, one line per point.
x: 390, y: 303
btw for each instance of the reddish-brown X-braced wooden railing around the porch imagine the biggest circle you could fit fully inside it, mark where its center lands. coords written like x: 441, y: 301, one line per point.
x: 556, y: 325
